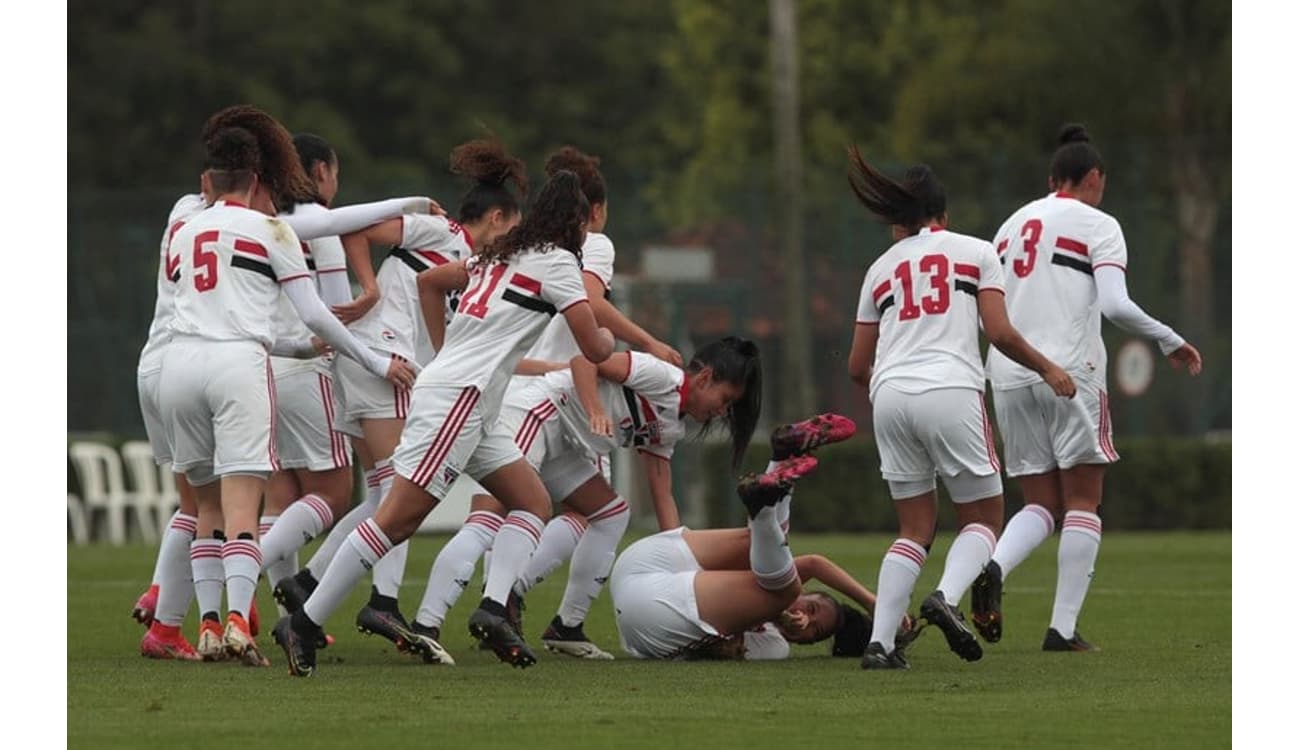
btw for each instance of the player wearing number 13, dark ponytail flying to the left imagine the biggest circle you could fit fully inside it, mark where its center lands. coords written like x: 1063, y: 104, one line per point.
x: 917, y: 346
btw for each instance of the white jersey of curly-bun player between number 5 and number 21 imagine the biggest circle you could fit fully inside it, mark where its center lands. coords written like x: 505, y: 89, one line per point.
x: 397, y: 324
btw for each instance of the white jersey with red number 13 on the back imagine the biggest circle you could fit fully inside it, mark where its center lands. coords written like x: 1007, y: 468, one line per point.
x: 924, y: 294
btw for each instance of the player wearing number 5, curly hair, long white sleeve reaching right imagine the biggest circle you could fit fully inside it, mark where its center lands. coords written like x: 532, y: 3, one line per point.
x: 215, y: 392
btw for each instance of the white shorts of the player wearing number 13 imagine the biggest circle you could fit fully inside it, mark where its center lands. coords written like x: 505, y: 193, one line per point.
x: 943, y: 431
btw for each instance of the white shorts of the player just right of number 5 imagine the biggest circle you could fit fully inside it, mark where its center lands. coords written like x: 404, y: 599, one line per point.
x: 305, y: 430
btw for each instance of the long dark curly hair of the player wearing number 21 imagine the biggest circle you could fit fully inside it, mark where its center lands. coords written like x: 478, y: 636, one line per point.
x: 557, y: 218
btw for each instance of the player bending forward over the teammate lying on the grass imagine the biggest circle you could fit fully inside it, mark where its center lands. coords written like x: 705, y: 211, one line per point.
x: 567, y: 420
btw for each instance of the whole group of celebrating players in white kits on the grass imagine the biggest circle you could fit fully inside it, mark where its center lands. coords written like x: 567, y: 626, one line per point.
x: 486, y: 346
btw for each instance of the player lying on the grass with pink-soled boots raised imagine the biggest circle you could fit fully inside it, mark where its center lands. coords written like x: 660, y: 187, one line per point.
x: 739, y: 593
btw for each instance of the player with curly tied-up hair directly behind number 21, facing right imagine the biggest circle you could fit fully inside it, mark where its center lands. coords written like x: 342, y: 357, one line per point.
x: 397, y: 328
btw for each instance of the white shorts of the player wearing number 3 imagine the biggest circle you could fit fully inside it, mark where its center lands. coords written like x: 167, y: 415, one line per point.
x: 1043, y: 432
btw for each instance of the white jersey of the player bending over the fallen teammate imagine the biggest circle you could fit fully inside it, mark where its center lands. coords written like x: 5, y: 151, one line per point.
x: 648, y: 410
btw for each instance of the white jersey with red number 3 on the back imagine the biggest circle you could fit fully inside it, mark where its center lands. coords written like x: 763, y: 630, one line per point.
x: 1050, y: 249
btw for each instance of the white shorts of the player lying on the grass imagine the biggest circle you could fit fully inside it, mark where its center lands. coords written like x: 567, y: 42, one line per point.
x: 653, y: 588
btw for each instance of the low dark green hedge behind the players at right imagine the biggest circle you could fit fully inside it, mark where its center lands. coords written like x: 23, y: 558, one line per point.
x: 1159, y: 484
